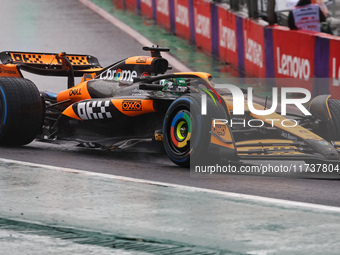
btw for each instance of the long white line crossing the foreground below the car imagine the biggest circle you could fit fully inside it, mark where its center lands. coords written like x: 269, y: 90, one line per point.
x: 230, y: 195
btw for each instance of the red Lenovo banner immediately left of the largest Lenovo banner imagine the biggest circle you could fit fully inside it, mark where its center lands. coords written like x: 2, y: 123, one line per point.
x: 254, y: 55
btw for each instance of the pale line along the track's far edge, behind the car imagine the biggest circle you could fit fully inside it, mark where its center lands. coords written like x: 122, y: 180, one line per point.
x: 133, y: 33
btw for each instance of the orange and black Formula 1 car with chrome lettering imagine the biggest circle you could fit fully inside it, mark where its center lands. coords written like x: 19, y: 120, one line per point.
x: 134, y: 102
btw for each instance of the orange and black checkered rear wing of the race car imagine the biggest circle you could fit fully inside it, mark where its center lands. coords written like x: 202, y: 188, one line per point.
x: 52, y: 64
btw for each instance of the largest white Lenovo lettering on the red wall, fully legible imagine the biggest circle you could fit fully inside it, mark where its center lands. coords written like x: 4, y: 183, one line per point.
x: 293, y: 66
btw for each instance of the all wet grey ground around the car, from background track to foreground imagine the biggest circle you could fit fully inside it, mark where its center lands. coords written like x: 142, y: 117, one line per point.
x: 64, y: 25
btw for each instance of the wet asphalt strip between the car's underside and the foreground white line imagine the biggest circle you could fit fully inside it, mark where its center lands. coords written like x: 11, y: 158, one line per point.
x: 306, y: 187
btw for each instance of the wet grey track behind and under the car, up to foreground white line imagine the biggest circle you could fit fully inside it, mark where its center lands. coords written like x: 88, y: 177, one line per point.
x: 64, y: 25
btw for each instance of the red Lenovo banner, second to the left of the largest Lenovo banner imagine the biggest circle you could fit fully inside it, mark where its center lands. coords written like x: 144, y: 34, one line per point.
x: 227, y: 36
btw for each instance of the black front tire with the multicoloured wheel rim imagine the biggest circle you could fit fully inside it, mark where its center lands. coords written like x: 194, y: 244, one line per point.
x: 184, y: 114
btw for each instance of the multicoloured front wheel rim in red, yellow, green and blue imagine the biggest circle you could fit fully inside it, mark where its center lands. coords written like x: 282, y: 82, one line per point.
x: 180, y: 132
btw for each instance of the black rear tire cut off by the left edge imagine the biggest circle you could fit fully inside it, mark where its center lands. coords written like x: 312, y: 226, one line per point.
x: 21, y: 111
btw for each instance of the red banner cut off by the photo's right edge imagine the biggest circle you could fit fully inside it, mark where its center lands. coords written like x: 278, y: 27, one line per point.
x: 334, y: 68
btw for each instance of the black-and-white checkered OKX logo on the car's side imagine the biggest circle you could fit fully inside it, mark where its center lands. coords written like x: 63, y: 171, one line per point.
x: 94, y: 110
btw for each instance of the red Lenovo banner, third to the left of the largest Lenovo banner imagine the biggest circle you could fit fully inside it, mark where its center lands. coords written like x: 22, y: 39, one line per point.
x: 202, y: 17
